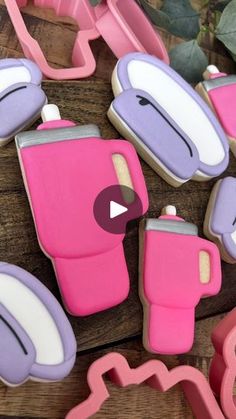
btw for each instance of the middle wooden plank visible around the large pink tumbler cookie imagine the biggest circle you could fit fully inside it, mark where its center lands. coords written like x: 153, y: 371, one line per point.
x: 87, y: 102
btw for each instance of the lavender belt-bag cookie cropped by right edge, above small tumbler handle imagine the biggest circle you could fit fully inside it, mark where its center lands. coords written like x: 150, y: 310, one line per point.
x: 220, y: 220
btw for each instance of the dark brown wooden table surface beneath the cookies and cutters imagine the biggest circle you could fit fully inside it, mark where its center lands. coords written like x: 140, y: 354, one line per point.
x: 118, y: 329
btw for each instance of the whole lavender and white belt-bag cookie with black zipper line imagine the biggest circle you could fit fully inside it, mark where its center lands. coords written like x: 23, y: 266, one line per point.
x: 168, y: 122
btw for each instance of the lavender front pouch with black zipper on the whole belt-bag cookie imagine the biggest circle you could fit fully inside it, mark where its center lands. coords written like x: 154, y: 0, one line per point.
x: 158, y: 132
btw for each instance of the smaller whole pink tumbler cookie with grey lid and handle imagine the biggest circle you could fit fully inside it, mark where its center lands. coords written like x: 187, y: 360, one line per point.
x: 177, y: 268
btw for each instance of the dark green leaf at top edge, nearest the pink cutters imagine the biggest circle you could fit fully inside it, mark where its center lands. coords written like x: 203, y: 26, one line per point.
x: 178, y: 17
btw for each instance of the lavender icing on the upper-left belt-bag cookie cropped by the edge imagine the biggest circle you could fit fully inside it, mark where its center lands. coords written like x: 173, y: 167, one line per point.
x: 21, y: 102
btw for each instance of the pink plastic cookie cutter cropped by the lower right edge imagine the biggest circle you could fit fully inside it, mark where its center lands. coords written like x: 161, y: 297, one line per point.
x: 223, y: 367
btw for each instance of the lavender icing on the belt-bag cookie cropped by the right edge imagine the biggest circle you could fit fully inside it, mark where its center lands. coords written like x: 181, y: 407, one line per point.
x: 223, y: 215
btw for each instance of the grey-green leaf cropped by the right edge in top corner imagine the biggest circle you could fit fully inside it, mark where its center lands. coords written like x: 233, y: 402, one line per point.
x: 226, y: 29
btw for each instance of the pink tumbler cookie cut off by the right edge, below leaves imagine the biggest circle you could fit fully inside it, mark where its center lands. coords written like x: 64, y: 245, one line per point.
x: 219, y: 91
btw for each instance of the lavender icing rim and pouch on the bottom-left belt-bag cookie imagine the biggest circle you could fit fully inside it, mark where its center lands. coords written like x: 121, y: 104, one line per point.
x: 17, y: 351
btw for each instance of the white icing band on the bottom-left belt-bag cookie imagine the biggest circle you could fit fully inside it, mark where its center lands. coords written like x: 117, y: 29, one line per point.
x: 34, y: 318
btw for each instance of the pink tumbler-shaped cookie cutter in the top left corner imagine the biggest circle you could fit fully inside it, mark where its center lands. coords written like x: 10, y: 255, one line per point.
x: 82, y: 56
